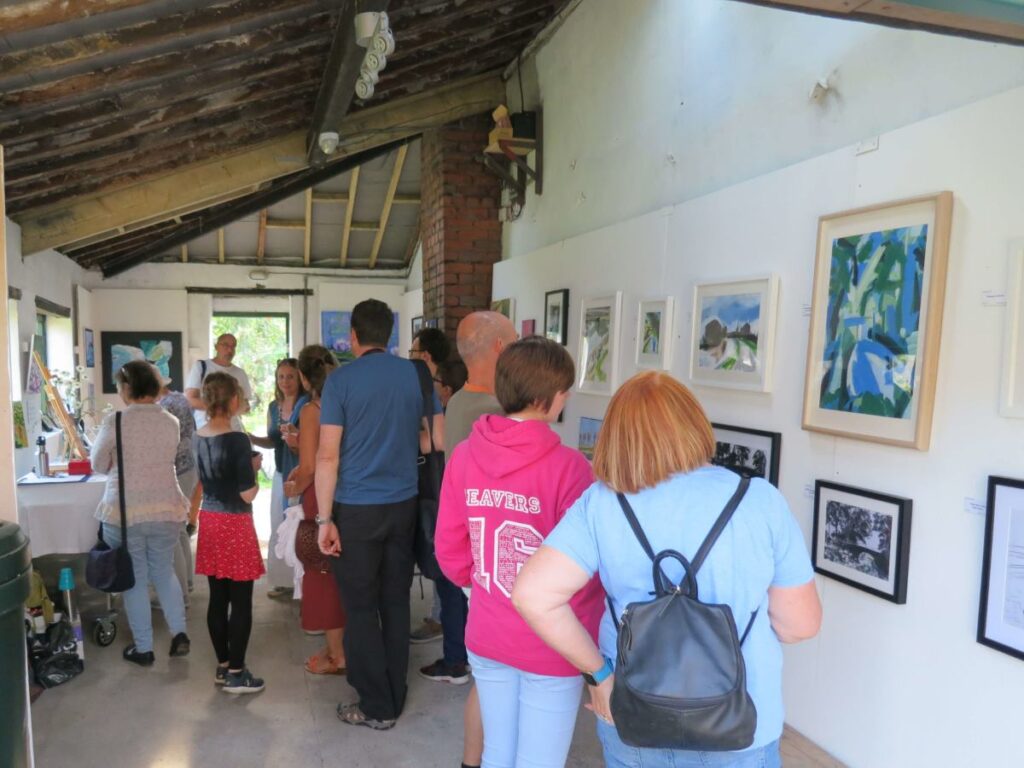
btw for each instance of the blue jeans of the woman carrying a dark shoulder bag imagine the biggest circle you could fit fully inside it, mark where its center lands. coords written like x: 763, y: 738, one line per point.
x: 152, y: 548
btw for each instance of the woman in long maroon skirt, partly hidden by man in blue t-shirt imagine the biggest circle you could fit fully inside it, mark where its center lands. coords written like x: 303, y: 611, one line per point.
x: 322, y: 610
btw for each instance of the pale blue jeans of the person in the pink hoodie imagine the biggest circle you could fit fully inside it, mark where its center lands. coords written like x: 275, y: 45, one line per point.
x: 528, y: 719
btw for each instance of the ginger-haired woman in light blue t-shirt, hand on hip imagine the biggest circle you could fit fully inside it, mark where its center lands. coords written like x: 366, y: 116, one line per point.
x: 655, y: 452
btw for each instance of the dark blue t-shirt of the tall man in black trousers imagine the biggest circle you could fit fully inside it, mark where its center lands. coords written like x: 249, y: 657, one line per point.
x: 376, y: 400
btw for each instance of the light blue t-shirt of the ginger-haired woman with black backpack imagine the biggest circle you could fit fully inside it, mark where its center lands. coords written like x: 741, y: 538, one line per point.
x: 761, y: 547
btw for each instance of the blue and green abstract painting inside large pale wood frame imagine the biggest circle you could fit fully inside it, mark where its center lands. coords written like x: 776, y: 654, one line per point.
x: 874, y: 323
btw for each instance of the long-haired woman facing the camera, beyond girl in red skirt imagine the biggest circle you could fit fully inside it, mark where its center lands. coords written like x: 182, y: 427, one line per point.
x: 282, y: 421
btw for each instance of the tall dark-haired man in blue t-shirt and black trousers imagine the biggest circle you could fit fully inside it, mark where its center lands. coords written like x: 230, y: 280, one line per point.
x: 372, y: 412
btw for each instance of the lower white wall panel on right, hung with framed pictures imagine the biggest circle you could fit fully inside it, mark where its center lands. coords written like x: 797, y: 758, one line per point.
x: 883, y: 686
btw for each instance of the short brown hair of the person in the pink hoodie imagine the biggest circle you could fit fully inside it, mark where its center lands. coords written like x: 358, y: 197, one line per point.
x: 532, y: 372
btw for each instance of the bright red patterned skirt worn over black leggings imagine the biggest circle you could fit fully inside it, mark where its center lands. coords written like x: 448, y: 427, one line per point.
x: 228, y: 547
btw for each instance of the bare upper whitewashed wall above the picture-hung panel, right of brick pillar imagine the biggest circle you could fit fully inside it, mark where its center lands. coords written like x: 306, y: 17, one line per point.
x: 651, y: 103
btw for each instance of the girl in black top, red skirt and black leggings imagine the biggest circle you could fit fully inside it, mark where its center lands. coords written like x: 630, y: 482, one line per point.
x: 228, y: 551
